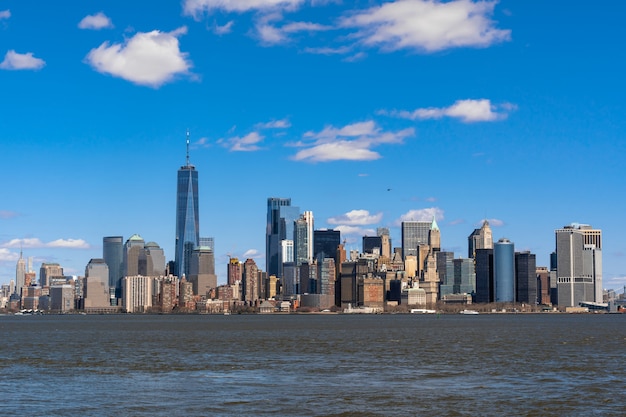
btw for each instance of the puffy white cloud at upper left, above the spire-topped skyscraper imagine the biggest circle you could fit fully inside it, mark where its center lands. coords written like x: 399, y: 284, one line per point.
x: 150, y: 58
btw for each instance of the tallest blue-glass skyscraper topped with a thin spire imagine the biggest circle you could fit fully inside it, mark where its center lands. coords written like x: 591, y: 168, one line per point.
x: 187, y: 216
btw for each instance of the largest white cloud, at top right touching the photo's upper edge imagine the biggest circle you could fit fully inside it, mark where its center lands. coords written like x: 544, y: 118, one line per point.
x: 427, y: 25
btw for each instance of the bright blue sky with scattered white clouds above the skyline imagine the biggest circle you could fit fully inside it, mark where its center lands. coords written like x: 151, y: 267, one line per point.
x: 364, y: 112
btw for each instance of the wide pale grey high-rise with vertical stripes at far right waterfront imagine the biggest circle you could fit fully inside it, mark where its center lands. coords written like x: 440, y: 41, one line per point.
x: 578, y: 264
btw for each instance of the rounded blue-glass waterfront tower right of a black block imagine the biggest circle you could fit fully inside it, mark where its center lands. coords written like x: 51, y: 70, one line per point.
x: 504, y: 271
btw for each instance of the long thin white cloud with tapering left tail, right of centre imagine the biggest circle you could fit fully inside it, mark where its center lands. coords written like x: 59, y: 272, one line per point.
x: 468, y: 111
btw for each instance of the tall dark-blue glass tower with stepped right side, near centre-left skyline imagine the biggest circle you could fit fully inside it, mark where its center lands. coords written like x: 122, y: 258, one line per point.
x: 281, y: 217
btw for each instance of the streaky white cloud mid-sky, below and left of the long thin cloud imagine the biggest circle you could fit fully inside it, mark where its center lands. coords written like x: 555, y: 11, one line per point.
x: 352, y: 142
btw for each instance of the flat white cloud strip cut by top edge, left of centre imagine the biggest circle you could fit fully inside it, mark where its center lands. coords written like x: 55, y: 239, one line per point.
x: 197, y: 7
